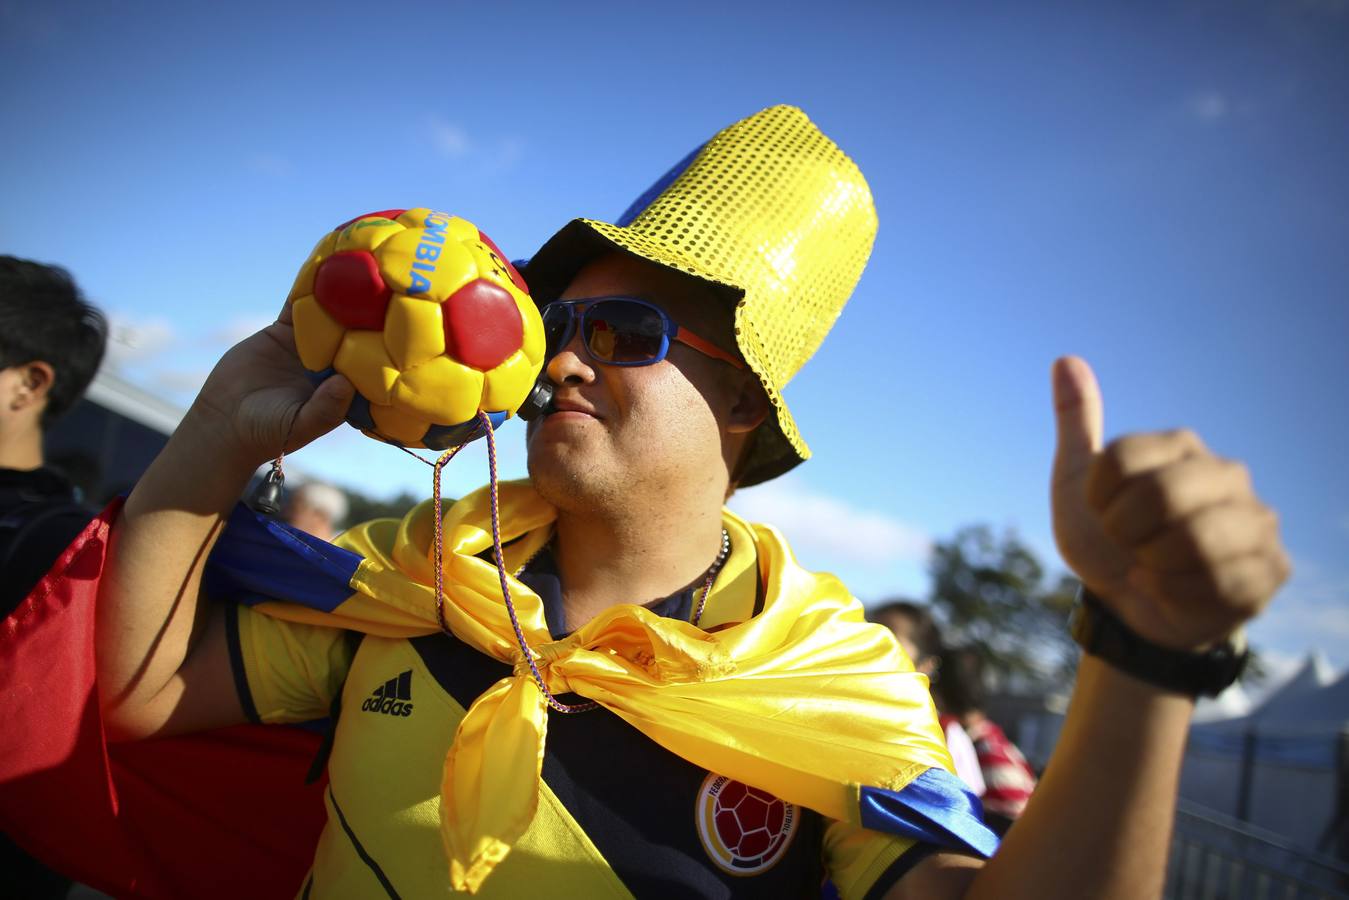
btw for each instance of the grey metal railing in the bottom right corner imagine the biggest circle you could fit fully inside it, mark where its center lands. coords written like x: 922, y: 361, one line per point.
x: 1215, y: 857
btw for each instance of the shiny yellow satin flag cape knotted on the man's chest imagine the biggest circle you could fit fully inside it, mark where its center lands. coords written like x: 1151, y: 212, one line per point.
x: 806, y: 701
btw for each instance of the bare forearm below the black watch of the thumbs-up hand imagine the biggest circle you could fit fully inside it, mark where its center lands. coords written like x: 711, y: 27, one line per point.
x: 1100, y: 824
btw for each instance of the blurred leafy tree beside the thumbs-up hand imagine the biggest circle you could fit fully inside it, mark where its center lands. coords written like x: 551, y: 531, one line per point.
x: 992, y: 593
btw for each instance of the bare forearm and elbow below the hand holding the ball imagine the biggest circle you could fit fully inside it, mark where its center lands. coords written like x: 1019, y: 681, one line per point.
x: 148, y: 604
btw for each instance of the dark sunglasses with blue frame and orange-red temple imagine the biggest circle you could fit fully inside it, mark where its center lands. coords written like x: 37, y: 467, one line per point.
x: 623, y: 331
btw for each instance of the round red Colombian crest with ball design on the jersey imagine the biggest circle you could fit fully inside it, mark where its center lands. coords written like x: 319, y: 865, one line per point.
x: 744, y: 831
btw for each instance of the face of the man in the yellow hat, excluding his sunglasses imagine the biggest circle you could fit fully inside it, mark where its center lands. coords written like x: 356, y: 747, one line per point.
x: 629, y: 437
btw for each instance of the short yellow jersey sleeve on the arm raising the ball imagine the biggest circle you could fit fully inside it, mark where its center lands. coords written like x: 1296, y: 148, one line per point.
x: 287, y: 671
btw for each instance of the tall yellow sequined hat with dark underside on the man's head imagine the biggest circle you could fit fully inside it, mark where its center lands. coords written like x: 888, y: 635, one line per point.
x: 774, y: 215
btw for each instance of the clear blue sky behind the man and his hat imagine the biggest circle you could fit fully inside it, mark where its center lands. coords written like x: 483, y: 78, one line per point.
x: 1161, y: 188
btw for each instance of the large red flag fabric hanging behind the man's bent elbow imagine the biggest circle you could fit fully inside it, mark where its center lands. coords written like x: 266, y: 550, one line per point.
x: 223, y: 814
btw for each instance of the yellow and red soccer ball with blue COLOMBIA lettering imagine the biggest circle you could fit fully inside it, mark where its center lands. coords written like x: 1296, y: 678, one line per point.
x: 428, y: 320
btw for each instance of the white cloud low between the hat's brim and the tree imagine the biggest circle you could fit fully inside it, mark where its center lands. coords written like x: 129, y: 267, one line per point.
x: 820, y: 524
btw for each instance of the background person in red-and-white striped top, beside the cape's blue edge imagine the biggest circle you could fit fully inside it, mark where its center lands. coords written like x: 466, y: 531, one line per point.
x: 1007, y: 777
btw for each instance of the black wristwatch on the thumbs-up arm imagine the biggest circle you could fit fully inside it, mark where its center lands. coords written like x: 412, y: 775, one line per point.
x: 1103, y: 635
